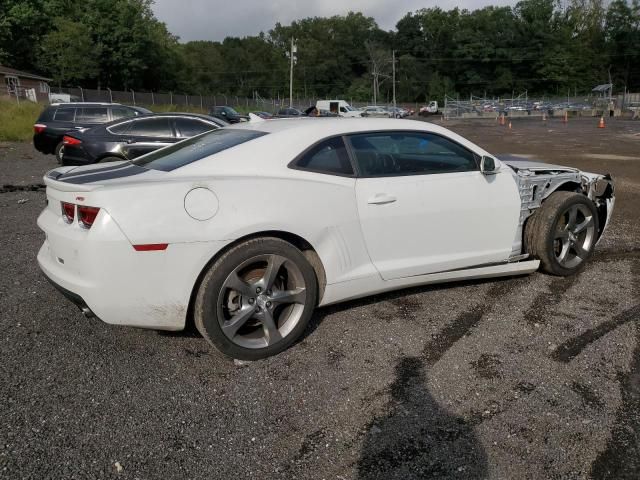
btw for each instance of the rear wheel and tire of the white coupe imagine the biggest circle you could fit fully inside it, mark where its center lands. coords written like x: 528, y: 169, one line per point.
x: 256, y: 299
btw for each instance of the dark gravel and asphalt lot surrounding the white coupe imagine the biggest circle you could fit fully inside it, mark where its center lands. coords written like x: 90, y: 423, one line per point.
x: 531, y: 377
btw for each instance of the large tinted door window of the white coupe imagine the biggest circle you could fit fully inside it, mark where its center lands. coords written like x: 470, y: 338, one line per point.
x: 409, y: 153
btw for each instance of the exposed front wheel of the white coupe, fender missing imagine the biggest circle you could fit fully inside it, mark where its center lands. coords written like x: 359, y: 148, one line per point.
x: 563, y: 233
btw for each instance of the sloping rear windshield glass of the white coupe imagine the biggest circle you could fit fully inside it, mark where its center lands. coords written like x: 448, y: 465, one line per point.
x: 195, y: 148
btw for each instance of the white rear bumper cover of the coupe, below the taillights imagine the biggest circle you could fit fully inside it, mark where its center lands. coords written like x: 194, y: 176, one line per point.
x: 101, y: 272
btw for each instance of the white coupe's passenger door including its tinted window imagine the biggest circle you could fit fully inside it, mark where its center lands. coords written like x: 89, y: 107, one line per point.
x: 425, y: 207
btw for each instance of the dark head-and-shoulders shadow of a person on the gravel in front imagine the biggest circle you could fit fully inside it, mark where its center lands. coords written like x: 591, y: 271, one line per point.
x: 418, y: 438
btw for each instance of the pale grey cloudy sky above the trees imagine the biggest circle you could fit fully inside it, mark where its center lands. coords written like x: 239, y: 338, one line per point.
x: 216, y: 19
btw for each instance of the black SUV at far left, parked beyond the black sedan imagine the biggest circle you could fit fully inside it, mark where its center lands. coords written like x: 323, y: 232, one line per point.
x: 59, y: 118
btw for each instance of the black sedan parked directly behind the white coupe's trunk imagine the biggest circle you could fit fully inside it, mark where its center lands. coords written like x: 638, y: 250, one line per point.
x: 126, y: 140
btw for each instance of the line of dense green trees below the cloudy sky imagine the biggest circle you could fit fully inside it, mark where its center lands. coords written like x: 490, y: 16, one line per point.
x: 542, y: 46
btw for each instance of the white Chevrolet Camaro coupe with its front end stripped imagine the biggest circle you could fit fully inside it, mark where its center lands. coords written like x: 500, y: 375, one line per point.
x: 246, y: 229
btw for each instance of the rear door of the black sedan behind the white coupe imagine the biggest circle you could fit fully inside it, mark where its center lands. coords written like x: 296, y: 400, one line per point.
x: 146, y: 135
